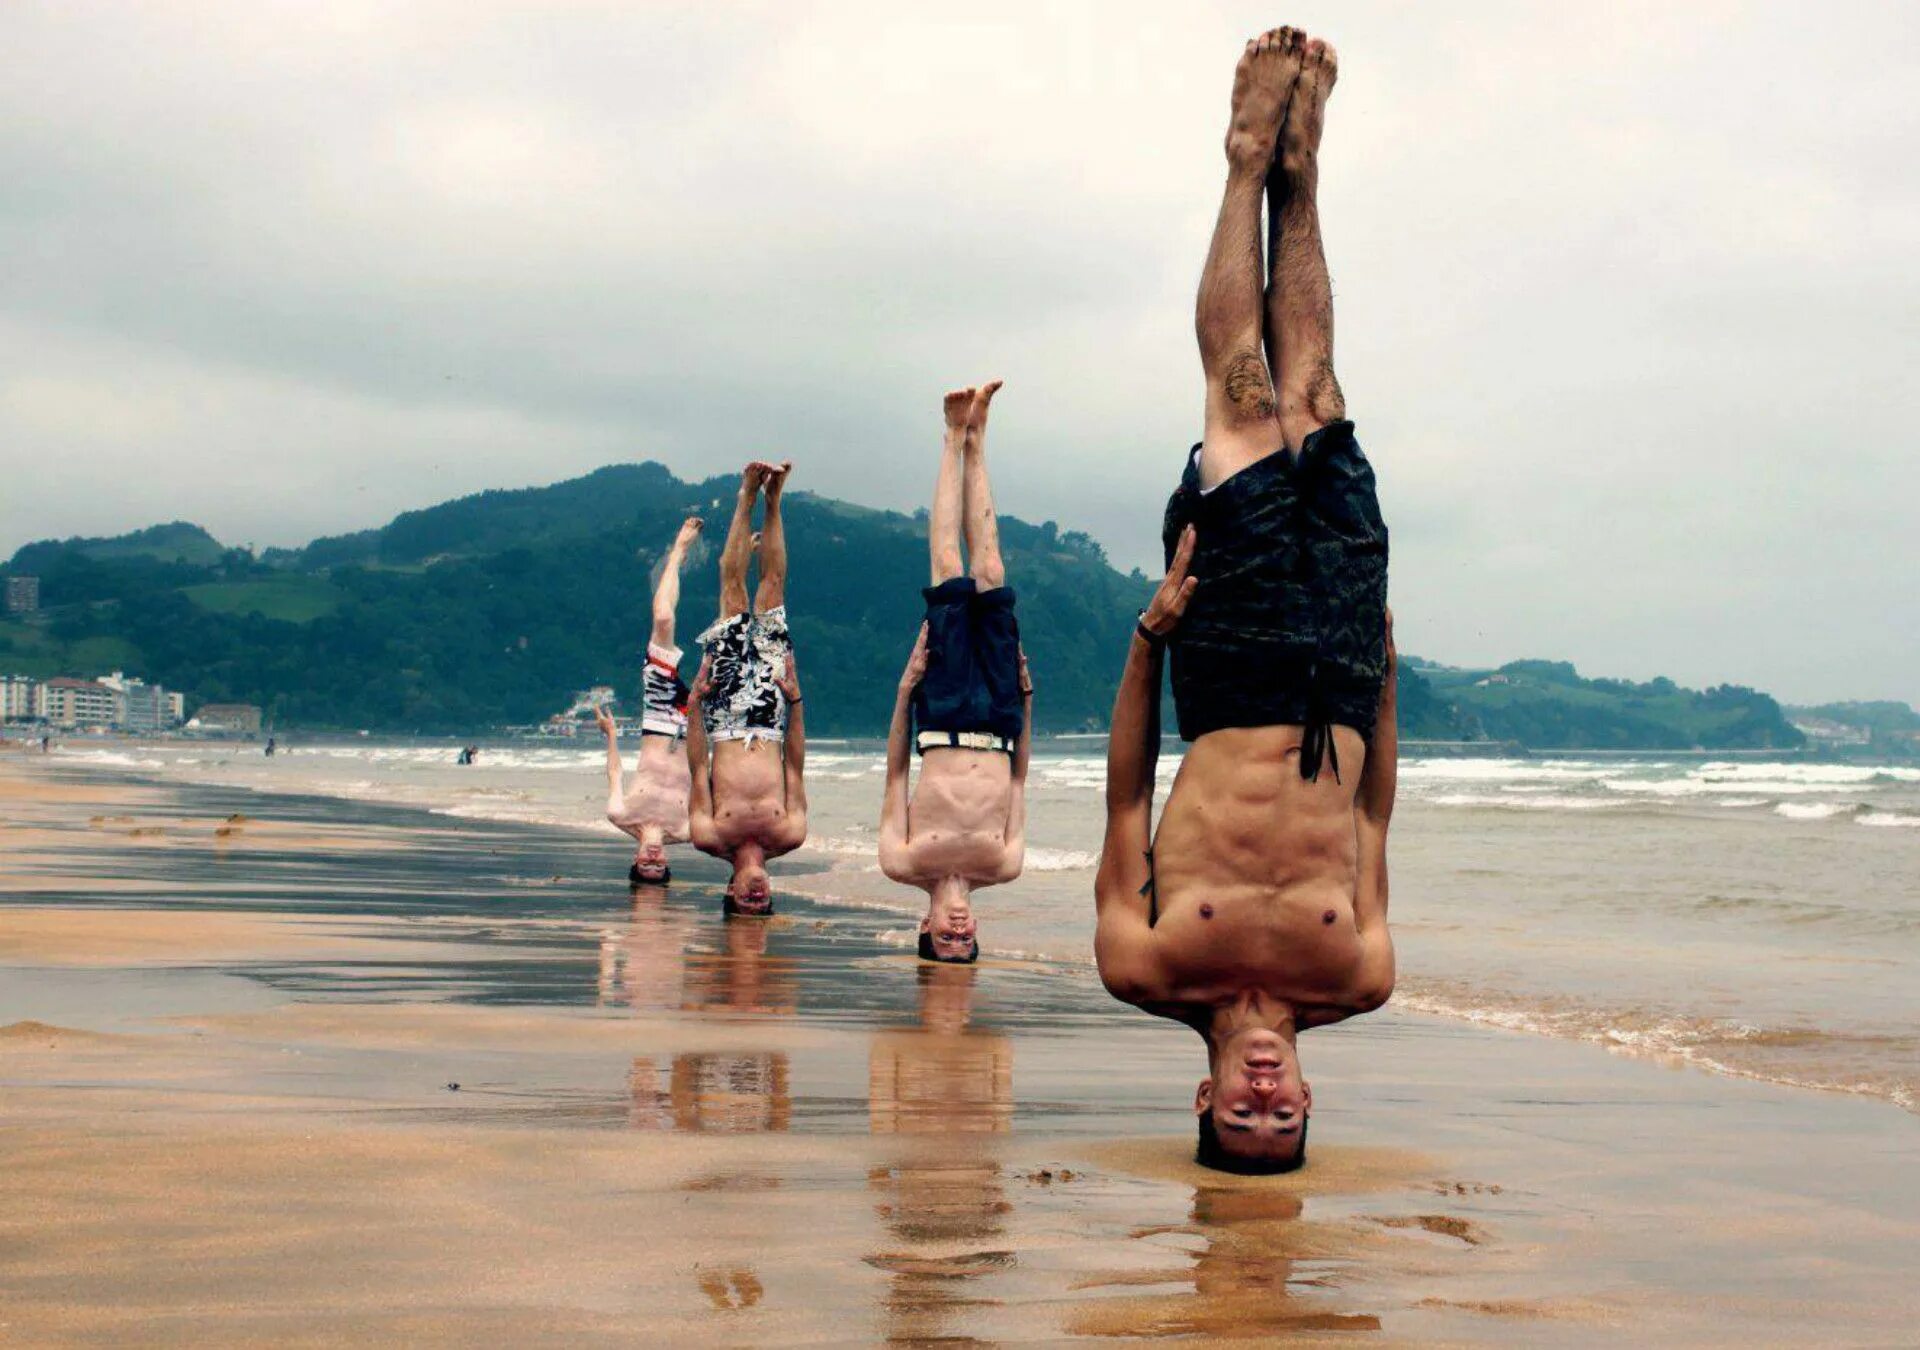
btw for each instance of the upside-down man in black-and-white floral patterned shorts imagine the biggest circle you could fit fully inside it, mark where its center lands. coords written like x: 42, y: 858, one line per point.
x: 746, y: 736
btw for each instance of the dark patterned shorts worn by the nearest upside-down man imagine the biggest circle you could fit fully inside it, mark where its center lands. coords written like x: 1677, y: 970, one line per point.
x: 1289, y: 621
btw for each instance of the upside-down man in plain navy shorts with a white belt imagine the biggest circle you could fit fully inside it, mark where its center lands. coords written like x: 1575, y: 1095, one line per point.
x: 969, y: 690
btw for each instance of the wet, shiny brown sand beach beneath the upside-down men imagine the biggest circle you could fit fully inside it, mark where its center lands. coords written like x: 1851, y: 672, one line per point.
x: 460, y: 1084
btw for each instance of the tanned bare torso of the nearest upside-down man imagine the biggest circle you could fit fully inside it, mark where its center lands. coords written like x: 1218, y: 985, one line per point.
x: 1255, y: 879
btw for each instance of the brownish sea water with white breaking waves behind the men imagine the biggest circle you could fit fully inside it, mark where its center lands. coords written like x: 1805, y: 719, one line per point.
x: 1740, y: 917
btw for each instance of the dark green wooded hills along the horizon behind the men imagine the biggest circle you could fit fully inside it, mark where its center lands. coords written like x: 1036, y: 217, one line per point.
x: 492, y: 610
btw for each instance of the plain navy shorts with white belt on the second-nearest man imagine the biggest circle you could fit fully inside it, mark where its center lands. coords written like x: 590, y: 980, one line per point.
x: 972, y: 681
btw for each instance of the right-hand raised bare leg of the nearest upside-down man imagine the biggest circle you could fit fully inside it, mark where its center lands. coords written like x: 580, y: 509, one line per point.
x: 1301, y: 297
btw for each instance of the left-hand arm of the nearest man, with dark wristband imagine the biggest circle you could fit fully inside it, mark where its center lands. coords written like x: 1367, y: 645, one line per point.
x: 1132, y: 756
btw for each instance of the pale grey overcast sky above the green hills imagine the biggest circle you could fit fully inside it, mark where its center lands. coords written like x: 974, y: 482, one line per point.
x: 1627, y: 295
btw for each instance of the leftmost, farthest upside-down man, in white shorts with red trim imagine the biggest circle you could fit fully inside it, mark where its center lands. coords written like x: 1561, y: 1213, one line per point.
x: 654, y: 808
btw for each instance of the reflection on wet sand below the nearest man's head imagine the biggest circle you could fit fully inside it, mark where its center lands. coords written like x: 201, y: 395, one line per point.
x: 1255, y: 1276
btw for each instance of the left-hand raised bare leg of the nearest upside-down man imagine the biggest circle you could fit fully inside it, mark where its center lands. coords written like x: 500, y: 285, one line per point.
x: 1241, y: 423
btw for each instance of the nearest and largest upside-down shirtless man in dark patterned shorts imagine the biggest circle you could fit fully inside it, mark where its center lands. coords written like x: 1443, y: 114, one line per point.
x: 1260, y: 907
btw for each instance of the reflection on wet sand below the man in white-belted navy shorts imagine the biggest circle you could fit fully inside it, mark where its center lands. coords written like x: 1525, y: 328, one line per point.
x: 942, y: 1088
